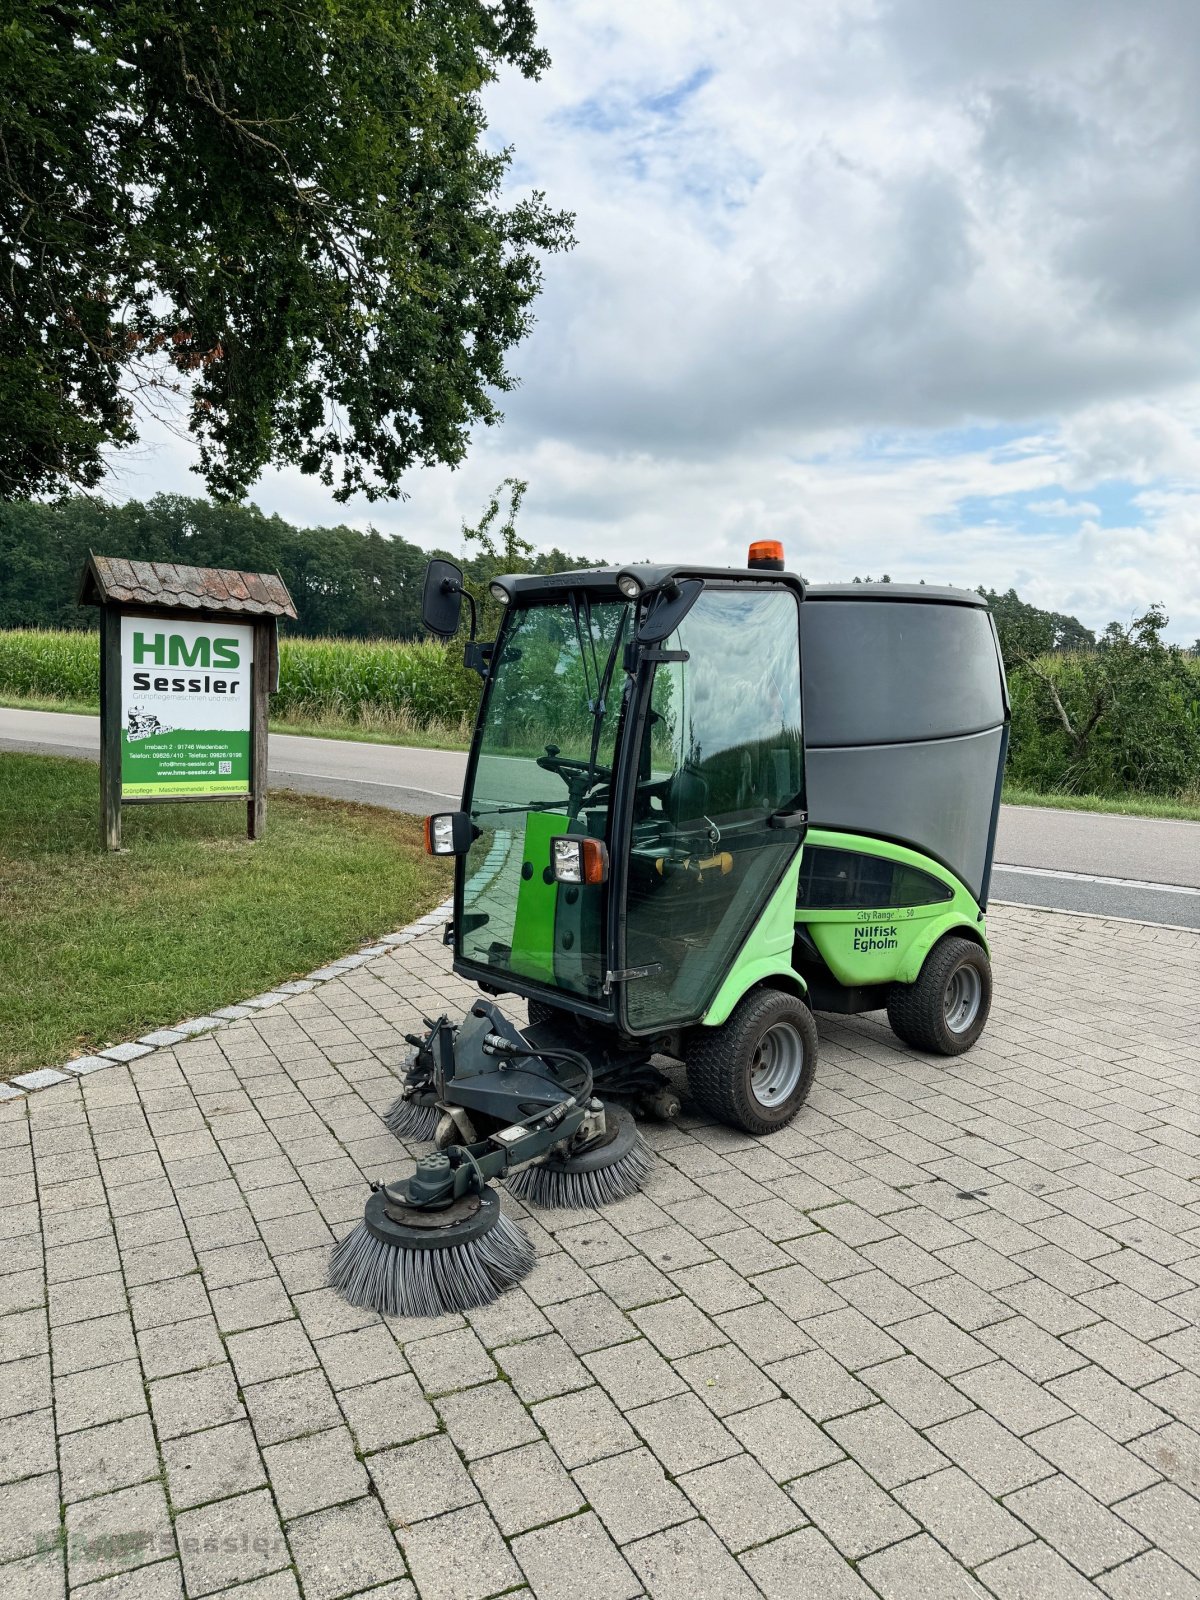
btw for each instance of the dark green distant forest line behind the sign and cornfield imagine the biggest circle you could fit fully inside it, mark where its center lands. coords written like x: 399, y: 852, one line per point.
x: 343, y: 582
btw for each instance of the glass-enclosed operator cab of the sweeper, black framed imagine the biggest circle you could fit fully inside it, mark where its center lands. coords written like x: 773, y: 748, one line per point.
x: 638, y: 750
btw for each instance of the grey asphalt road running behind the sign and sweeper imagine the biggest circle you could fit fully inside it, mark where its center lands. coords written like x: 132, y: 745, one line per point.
x: 1114, y: 866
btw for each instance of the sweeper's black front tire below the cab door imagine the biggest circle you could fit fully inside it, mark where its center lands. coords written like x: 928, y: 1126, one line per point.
x: 722, y: 1062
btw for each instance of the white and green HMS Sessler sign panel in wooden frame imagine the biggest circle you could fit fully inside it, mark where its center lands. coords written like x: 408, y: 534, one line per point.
x: 185, y: 708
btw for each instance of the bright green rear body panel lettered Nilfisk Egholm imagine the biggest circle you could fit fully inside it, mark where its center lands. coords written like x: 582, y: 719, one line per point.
x: 890, y: 945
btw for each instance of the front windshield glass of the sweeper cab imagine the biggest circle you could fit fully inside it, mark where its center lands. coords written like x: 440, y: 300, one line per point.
x: 545, y: 767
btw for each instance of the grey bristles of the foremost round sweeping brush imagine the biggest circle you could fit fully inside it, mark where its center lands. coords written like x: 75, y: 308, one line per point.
x: 398, y: 1281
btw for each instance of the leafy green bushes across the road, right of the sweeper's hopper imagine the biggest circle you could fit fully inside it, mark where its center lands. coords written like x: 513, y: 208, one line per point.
x: 1121, y: 719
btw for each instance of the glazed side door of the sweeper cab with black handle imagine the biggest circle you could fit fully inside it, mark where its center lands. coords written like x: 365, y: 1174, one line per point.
x: 721, y: 769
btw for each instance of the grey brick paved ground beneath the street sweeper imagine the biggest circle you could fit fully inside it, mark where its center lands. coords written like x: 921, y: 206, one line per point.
x: 935, y: 1340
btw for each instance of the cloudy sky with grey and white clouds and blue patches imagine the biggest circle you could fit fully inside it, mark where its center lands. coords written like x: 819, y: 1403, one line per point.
x: 910, y: 284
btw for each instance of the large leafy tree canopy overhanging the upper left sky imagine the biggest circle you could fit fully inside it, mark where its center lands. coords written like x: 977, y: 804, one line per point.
x: 287, y: 215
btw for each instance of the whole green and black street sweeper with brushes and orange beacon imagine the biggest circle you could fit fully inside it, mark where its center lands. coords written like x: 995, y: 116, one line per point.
x: 700, y: 806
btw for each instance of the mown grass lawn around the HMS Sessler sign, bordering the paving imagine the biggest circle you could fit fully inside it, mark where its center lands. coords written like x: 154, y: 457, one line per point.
x: 97, y: 950
